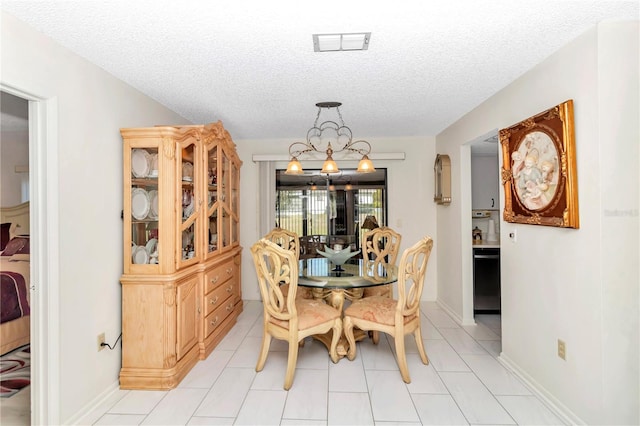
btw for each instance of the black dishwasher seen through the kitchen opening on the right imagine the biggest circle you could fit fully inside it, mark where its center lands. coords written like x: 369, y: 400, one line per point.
x: 486, y: 280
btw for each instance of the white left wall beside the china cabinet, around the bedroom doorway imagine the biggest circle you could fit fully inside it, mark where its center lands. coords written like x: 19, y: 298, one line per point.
x: 91, y: 108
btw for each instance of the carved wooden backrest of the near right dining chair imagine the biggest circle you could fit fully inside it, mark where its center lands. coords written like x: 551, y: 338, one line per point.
x: 411, y: 271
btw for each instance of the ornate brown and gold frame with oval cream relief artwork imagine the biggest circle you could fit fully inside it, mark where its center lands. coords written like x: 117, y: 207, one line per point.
x: 539, y: 169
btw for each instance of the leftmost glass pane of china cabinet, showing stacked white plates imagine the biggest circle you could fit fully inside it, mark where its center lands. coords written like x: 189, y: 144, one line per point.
x: 144, y: 208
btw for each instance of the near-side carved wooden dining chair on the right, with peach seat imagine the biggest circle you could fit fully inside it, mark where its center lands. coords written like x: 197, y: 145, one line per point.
x: 396, y: 317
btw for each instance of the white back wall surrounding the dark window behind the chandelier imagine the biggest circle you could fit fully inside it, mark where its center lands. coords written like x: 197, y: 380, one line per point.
x: 410, y: 204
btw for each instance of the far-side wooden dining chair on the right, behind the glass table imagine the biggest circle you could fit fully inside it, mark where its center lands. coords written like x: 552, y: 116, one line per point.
x: 381, y: 245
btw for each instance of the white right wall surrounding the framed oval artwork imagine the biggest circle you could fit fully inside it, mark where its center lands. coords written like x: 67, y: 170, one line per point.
x: 580, y: 286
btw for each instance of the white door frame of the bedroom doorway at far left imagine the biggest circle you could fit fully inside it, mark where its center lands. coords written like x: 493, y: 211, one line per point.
x: 44, y: 225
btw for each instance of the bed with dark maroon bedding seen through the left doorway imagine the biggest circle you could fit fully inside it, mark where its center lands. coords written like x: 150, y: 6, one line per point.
x: 14, y: 277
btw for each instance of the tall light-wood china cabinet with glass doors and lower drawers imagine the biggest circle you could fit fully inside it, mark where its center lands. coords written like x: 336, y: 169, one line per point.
x: 181, y: 283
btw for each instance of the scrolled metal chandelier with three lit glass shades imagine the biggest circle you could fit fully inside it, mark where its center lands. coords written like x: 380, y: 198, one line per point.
x: 321, y: 136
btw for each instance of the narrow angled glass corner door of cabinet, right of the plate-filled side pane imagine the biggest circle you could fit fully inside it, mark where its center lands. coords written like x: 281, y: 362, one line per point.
x: 189, y: 199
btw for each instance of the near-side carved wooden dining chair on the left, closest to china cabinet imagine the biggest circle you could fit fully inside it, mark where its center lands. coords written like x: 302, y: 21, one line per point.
x: 289, y: 318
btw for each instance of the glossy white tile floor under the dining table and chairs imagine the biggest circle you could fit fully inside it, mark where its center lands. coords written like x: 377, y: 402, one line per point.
x: 463, y: 384
